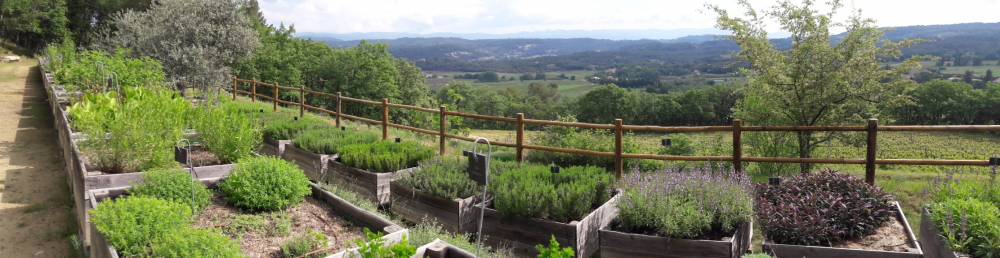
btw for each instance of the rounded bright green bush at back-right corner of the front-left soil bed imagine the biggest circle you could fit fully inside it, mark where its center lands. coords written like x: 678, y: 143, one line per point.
x: 265, y: 184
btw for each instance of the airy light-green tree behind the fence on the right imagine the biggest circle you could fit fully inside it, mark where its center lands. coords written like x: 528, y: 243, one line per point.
x: 815, y: 82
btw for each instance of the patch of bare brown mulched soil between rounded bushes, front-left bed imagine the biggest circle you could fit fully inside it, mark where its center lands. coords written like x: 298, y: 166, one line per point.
x: 262, y: 234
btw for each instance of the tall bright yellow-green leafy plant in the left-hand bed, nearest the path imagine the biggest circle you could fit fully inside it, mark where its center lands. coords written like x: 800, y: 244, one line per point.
x: 137, y: 134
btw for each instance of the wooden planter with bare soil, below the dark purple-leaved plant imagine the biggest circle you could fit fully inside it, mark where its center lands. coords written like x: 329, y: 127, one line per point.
x: 896, y: 236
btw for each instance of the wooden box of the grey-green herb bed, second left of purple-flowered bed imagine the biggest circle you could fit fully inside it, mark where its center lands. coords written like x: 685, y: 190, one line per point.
x: 455, y: 215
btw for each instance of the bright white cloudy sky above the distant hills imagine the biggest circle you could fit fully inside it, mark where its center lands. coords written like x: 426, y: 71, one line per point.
x: 515, y: 16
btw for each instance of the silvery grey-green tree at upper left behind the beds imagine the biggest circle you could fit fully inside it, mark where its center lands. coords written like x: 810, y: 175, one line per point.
x: 197, y: 41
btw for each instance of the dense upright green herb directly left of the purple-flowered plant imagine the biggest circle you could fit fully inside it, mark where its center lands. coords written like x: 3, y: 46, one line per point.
x: 532, y: 191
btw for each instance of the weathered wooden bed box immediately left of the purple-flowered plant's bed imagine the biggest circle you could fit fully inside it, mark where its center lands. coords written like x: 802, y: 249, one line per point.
x: 522, y: 234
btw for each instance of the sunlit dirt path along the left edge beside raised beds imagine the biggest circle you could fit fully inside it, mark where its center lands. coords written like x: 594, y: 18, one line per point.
x: 35, y: 203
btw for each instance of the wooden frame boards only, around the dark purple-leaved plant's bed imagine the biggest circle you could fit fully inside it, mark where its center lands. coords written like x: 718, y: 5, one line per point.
x: 782, y: 250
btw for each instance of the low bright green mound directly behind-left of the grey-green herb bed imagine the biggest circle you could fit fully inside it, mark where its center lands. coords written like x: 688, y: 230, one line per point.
x: 385, y: 156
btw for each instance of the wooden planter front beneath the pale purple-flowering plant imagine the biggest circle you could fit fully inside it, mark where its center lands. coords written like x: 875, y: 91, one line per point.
x: 622, y: 244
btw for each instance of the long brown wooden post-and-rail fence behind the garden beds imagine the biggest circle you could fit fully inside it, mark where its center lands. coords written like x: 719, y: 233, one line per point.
x: 618, y: 127
